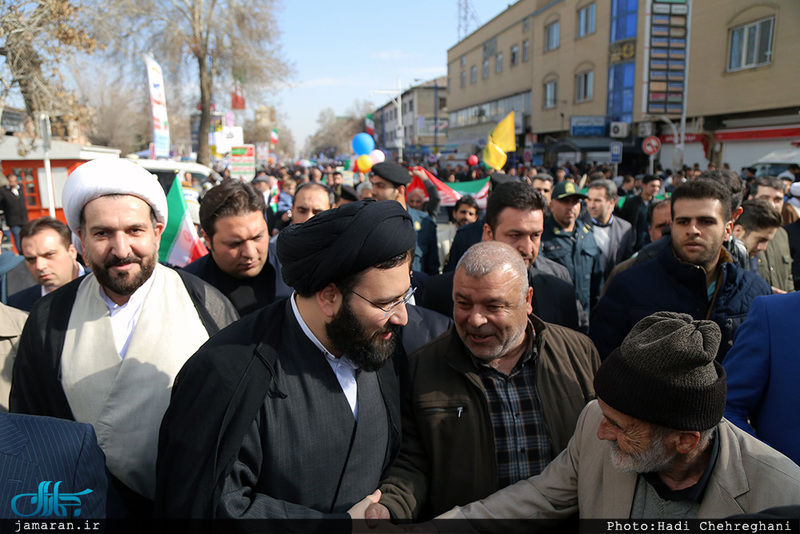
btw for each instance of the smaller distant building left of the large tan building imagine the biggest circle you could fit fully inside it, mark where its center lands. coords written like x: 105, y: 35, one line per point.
x: 420, y: 127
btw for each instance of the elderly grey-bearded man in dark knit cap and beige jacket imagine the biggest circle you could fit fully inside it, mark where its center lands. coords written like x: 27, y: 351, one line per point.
x: 654, y: 444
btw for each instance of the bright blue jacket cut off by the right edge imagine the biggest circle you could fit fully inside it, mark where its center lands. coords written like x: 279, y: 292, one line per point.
x: 762, y: 368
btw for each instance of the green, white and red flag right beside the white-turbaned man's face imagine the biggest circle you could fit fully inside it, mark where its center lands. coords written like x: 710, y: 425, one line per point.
x: 180, y: 244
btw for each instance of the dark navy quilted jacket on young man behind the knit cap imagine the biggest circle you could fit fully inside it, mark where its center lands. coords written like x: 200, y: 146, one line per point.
x: 665, y: 283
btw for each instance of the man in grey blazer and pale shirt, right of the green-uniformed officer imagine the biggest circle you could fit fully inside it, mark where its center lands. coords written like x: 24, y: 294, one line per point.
x: 613, y: 235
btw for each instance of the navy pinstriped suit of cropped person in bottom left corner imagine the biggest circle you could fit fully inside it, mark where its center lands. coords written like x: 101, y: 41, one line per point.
x: 37, y: 450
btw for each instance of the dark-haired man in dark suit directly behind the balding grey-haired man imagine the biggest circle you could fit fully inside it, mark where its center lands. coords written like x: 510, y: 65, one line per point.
x: 515, y: 216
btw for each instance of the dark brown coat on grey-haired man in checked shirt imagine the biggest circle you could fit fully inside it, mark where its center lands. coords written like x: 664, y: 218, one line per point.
x: 447, y: 457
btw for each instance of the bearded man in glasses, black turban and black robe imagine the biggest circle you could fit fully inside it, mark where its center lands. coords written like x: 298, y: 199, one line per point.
x: 290, y: 412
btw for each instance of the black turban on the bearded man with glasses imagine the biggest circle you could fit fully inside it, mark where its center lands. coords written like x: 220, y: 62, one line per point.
x: 343, y: 241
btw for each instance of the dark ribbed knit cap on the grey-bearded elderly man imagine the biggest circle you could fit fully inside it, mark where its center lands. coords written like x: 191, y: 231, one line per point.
x: 665, y: 373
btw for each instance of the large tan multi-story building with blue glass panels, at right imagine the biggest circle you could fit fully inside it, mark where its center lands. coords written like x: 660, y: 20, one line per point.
x: 580, y: 74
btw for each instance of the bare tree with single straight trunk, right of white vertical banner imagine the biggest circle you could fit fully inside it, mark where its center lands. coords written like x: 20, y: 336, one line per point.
x: 224, y: 40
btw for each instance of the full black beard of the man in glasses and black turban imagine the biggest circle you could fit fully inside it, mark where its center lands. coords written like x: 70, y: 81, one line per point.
x: 347, y: 335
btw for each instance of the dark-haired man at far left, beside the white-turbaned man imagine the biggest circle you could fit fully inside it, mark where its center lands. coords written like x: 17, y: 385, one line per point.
x: 50, y: 257
